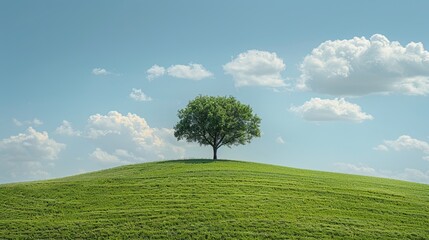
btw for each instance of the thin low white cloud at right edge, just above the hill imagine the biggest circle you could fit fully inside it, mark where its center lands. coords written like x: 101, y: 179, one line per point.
x: 405, y: 142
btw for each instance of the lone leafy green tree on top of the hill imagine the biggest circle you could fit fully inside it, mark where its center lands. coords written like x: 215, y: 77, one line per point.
x: 217, y: 121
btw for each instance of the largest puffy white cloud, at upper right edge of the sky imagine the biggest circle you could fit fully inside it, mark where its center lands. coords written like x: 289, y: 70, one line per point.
x: 360, y: 66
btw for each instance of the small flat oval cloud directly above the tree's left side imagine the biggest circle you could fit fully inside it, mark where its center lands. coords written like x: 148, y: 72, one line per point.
x: 191, y: 71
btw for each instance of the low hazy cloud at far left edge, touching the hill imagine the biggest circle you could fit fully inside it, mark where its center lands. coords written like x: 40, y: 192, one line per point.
x: 28, y: 155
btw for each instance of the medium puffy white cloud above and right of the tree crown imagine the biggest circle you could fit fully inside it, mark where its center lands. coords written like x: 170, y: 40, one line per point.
x: 256, y: 68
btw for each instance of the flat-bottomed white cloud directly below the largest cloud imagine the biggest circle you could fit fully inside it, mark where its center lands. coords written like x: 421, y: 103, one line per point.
x: 331, y: 110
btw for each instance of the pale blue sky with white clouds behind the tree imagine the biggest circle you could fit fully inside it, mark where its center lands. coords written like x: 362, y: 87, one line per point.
x: 340, y: 86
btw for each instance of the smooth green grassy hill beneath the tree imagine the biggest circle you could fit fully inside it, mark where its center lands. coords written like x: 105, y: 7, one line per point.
x: 202, y: 199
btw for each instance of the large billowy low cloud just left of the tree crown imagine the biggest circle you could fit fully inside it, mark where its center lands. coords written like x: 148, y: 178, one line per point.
x: 130, y: 139
